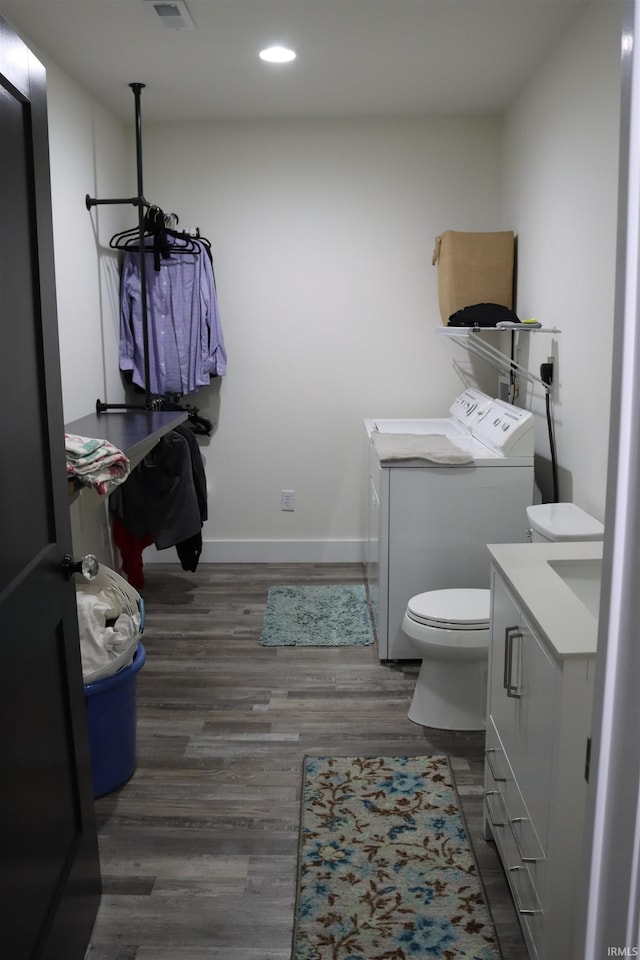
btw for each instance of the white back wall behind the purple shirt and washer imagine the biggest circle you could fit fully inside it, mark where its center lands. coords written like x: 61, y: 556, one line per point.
x: 322, y: 235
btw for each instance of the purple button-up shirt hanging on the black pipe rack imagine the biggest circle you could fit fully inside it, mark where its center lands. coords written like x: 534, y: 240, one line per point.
x: 186, y: 346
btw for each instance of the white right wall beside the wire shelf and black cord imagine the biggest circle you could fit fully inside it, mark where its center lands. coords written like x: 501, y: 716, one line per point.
x: 561, y: 180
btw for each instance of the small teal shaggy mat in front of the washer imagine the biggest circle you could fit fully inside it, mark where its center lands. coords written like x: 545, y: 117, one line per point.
x: 324, y: 616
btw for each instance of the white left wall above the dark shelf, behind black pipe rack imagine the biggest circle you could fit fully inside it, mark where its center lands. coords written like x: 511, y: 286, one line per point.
x: 89, y: 155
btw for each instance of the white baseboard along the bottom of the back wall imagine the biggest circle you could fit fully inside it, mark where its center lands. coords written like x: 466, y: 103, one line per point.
x: 269, y: 551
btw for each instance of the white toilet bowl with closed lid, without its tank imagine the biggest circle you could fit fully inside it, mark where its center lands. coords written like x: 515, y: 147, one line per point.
x: 449, y: 630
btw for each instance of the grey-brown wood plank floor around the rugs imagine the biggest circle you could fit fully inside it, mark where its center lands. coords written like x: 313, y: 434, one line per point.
x: 198, y: 850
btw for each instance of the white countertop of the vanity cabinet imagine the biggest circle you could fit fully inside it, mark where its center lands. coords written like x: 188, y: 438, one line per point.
x: 548, y: 603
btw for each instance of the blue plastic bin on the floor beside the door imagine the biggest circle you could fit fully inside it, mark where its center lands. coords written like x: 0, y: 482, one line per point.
x: 111, y: 718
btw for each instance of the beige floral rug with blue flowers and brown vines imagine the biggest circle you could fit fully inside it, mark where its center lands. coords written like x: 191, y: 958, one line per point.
x: 386, y: 870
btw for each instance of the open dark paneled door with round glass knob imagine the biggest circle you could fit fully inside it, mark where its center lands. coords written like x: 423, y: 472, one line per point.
x: 49, y: 874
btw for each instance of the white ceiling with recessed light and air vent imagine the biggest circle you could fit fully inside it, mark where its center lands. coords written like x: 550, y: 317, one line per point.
x: 355, y: 57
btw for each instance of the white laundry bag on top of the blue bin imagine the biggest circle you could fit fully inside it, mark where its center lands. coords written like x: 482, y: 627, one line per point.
x: 110, y: 621
